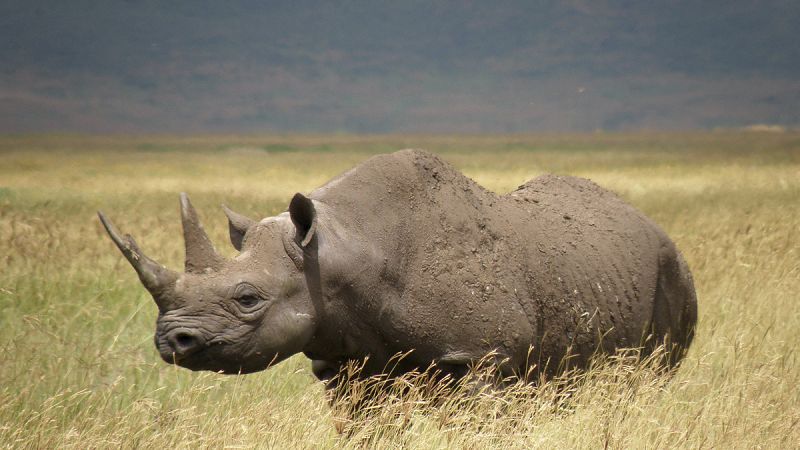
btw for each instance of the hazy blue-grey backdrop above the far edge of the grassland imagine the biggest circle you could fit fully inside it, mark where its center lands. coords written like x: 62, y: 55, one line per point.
x: 400, y: 66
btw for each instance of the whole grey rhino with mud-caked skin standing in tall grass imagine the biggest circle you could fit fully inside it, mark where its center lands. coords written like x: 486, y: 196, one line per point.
x: 405, y: 253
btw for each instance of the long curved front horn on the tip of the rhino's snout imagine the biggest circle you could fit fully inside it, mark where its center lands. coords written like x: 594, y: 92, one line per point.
x: 156, y: 278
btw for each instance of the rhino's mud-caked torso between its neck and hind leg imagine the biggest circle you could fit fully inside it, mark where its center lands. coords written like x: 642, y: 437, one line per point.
x: 559, y: 262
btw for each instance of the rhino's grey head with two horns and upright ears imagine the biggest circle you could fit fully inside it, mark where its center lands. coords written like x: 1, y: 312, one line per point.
x: 235, y: 315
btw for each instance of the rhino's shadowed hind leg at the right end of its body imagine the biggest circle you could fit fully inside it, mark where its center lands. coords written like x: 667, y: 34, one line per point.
x: 674, y: 308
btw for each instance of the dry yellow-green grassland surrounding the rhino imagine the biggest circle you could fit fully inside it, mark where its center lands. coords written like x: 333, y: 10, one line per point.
x: 78, y: 368
